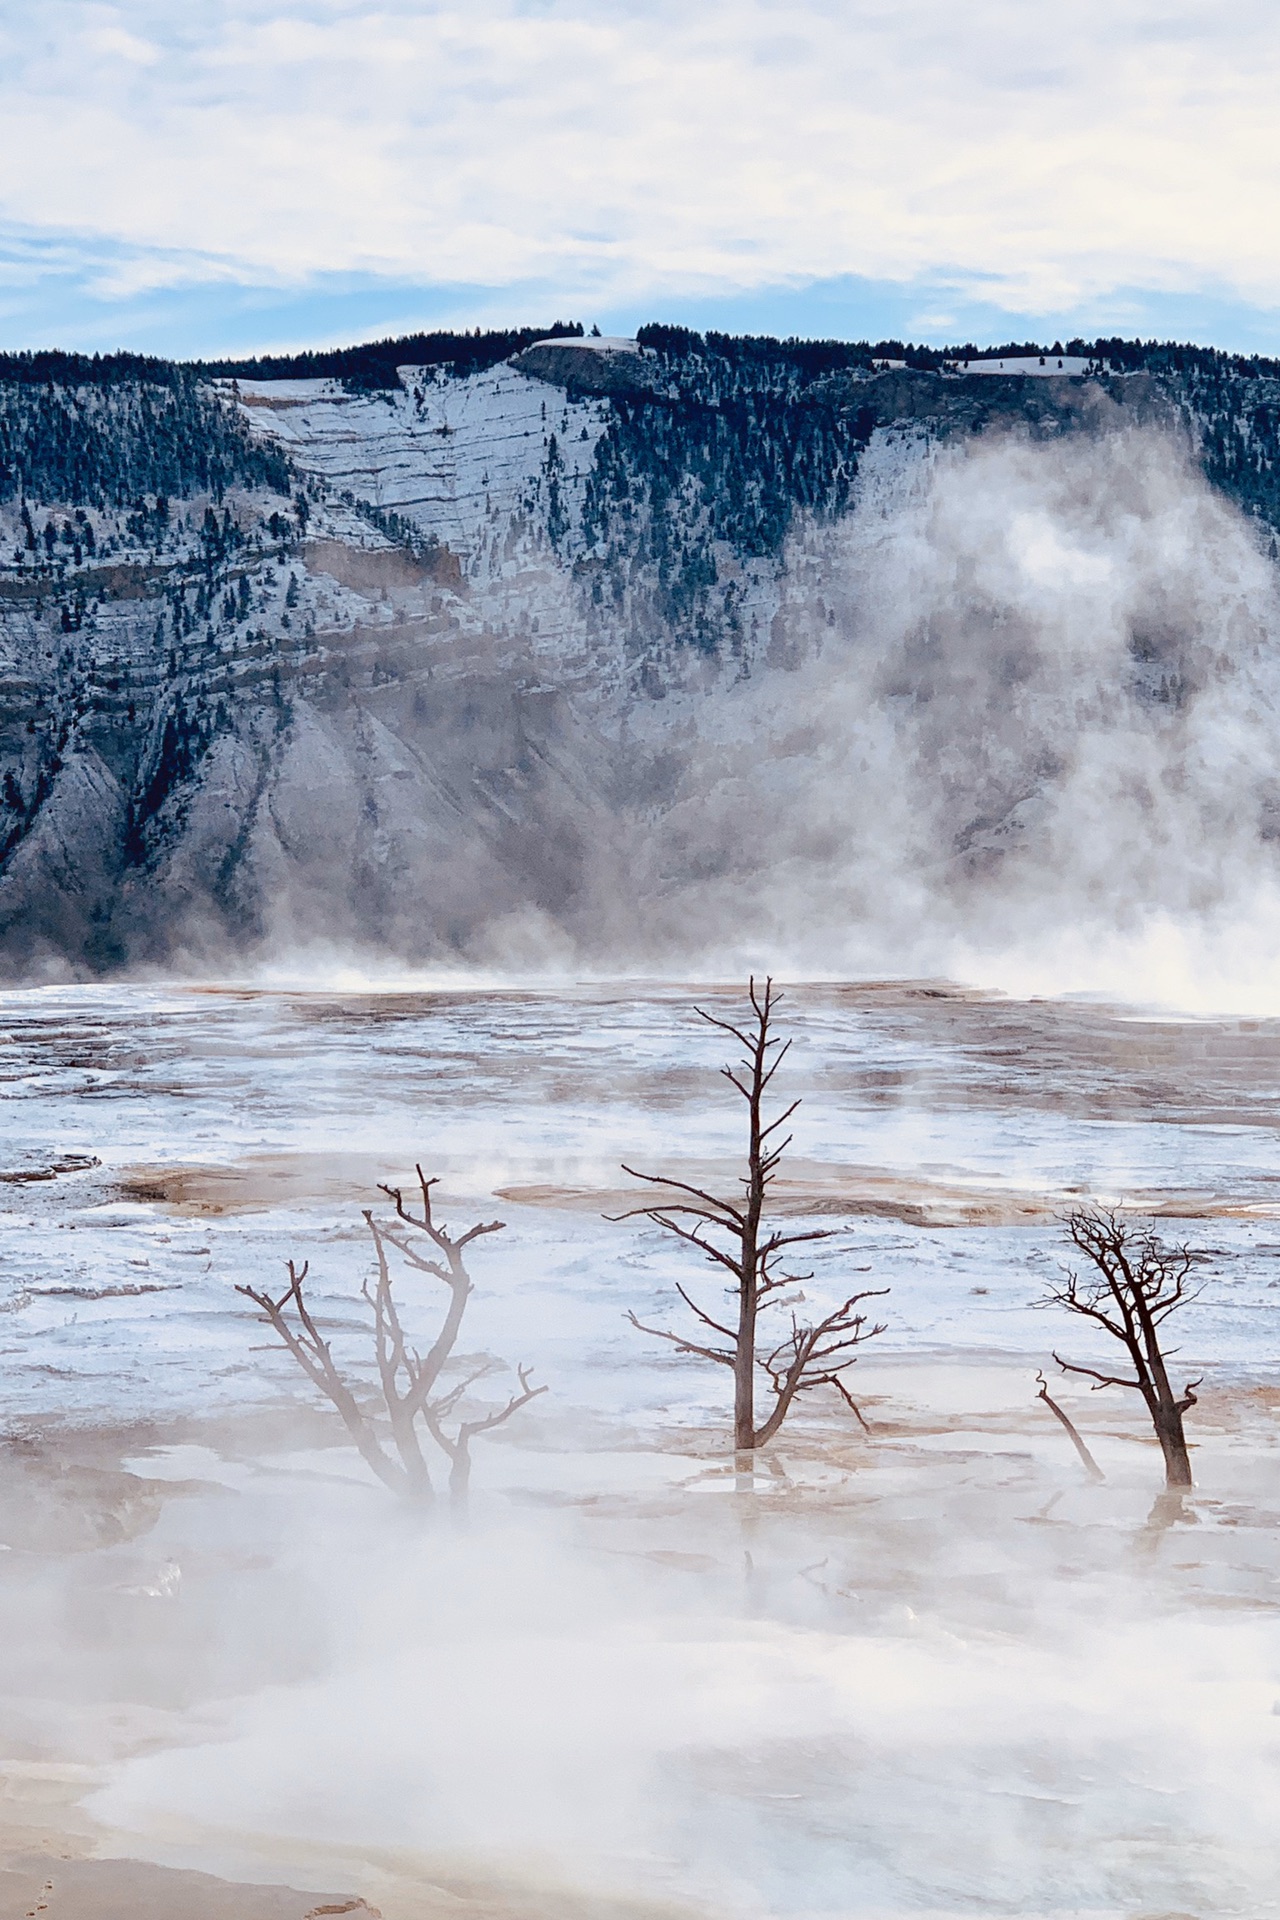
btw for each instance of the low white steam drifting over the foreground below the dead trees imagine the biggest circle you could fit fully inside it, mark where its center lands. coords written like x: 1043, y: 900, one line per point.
x: 521, y: 1706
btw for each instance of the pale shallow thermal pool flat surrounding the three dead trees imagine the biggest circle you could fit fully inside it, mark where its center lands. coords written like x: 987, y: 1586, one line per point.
x: 914, y: 1671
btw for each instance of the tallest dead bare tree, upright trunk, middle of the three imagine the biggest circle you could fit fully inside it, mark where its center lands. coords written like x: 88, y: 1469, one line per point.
x: 736, y: 1239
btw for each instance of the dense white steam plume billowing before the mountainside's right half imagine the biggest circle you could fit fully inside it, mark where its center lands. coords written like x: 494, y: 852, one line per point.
x: 1031, y: 738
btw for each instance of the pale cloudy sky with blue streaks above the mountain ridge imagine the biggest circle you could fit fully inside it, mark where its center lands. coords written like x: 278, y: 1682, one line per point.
x: 249, y: 176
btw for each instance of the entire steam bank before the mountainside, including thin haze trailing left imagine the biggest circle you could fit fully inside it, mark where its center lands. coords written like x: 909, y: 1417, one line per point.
x: 1016, y: 721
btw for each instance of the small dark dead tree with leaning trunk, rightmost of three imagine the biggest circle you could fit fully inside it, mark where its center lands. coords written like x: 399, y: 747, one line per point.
x: 1137, y: 1282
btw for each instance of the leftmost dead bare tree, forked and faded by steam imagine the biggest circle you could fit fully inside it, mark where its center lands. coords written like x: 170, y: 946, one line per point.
x: 408, y: 1380
